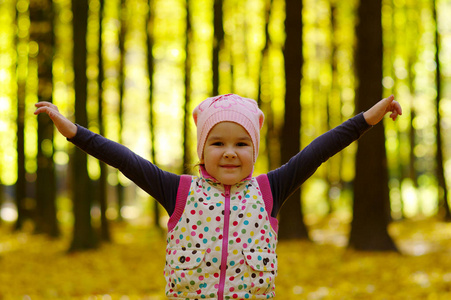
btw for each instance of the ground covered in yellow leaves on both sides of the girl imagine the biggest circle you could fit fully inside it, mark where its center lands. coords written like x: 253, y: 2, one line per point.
x: 34, y: 267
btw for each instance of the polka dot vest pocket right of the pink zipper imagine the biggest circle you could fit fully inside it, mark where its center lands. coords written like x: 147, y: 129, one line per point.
x: 263, y: 270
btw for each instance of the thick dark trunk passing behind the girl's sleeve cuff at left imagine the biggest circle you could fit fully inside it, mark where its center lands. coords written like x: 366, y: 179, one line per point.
x: 83, y: 234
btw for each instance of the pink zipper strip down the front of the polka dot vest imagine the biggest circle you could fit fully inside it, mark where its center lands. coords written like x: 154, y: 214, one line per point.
x: 225, y: 243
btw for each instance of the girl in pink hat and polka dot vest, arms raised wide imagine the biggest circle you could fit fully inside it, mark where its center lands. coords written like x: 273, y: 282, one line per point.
x: 222, y: 231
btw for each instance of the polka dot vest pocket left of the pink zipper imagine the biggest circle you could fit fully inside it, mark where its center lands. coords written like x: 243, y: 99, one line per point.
x: 185, y: 272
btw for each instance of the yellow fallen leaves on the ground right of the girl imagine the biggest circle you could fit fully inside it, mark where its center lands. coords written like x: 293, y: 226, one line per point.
x: 326, y: 272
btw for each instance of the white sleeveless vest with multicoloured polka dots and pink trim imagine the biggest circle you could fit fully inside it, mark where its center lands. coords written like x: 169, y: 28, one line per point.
x: 223, y: 245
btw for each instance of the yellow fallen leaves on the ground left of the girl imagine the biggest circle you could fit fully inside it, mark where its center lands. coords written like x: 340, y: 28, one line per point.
x: 41, y: 269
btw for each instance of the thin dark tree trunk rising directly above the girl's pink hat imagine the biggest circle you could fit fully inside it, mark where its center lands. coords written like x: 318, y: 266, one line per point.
x: 217, y: 42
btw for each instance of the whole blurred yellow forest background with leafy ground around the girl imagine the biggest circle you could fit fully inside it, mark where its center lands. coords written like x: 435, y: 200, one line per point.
x: 134, y: 70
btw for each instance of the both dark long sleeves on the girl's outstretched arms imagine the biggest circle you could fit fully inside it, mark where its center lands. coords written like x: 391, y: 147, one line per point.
x: 163, y: 185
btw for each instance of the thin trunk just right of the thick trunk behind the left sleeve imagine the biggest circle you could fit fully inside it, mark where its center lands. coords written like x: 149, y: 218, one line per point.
x: 102, y: 181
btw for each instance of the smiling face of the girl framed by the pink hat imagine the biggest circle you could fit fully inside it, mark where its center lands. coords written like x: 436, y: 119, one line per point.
x: 228, y: 153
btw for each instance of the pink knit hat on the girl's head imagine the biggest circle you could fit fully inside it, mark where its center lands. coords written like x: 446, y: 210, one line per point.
x: 232, y: 108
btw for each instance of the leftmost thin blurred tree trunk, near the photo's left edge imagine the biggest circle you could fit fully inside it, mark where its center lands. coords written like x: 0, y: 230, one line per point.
x: 20, y: 187
